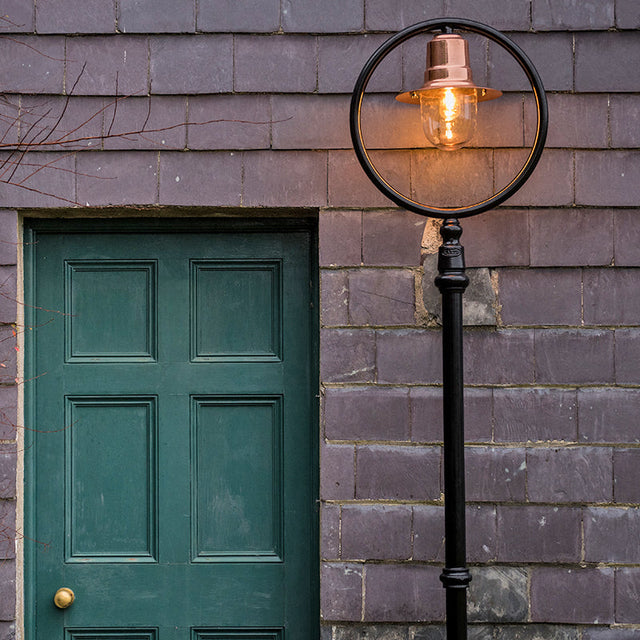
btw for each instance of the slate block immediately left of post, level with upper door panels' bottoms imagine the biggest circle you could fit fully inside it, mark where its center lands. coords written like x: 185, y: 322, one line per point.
x: 409, y: 356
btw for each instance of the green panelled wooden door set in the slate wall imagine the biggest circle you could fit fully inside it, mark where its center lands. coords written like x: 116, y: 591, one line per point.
x: 170, y: 479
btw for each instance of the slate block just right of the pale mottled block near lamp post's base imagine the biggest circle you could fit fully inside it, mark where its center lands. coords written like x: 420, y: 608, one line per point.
x: 573, y: 596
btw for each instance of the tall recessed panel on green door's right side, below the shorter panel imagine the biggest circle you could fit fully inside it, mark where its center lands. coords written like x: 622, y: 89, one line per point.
x: 237, y: 478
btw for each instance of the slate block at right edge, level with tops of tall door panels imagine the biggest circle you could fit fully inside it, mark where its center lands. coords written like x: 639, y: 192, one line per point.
x: 608, y: 415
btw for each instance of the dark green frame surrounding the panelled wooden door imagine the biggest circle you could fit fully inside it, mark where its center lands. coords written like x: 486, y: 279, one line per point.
x: 277, y: 221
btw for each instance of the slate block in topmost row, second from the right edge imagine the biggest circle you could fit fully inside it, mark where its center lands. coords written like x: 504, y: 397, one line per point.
x: 572, y: 15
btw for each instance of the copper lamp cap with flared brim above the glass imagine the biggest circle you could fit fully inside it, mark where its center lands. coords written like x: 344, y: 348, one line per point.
x: 448, y: 67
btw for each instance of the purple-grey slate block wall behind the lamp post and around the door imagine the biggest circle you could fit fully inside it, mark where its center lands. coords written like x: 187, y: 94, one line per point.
x: 553, y: 336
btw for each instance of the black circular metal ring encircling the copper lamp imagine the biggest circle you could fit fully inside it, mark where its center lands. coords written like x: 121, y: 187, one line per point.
x: 442, y: 24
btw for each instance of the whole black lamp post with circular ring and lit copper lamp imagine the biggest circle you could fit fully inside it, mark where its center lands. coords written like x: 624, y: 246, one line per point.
x: 448, y: 101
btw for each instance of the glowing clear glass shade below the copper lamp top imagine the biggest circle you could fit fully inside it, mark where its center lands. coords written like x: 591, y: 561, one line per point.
x: 449, y: 116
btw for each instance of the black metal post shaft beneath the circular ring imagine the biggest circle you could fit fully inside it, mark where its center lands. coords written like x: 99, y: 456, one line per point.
x: 452, y: 282
